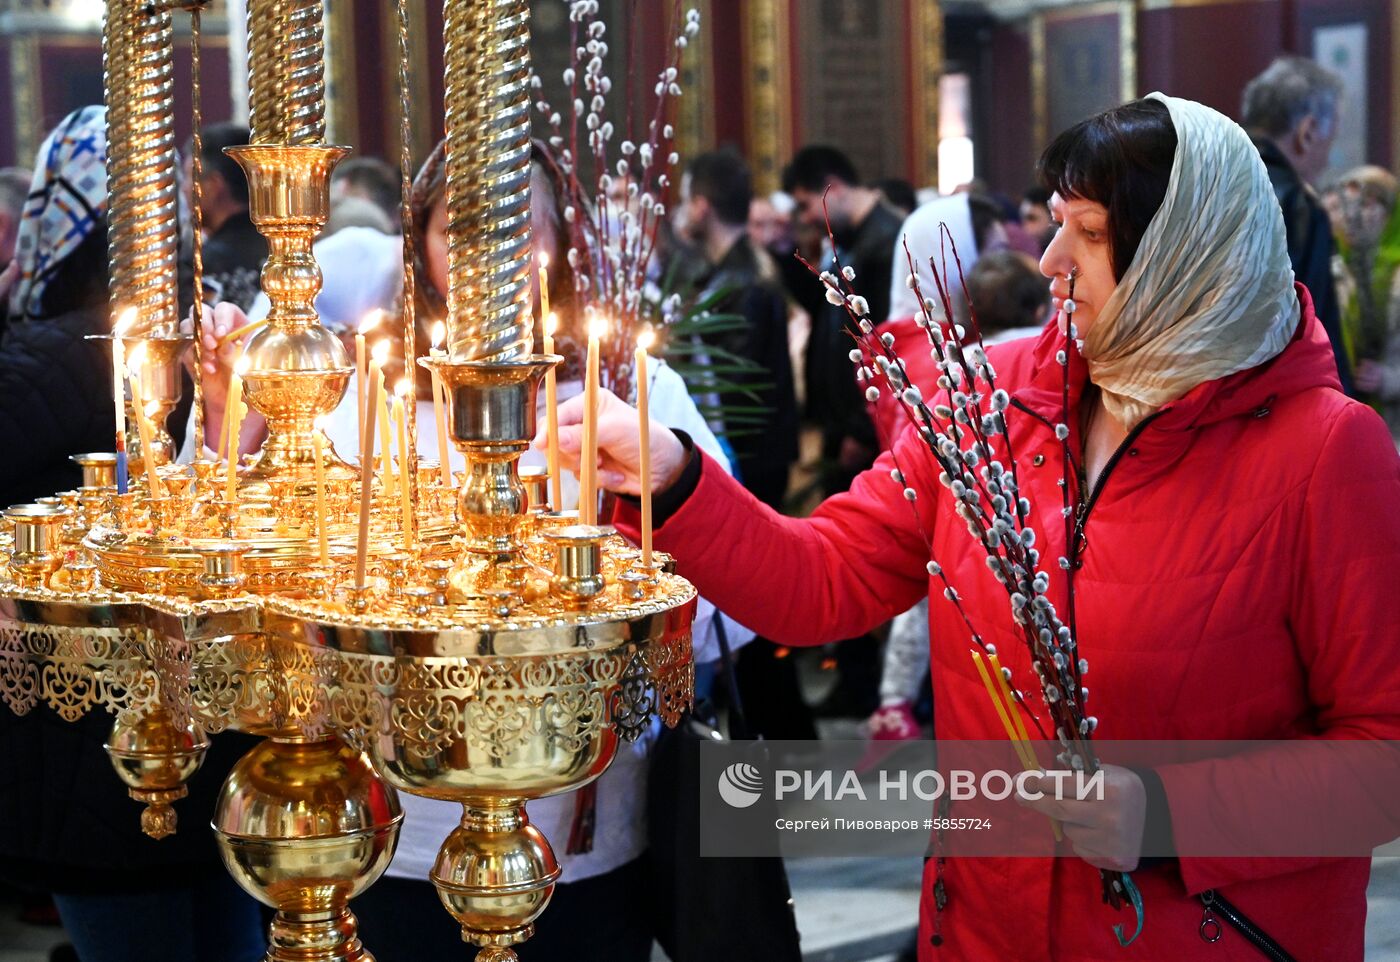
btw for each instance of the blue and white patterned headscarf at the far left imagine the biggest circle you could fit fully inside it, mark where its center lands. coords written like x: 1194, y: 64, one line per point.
x: 68, y: 202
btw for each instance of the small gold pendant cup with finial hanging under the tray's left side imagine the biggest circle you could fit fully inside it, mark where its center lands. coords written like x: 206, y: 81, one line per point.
x: 156, y: 757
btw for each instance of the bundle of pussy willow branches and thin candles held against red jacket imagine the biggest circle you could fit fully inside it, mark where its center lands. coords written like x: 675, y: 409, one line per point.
x: 968, y: 436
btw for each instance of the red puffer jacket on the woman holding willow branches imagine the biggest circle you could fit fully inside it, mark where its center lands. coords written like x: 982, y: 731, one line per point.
x: 1238, y: 583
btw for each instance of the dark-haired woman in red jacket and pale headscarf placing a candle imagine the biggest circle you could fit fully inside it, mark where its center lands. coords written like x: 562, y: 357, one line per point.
x: 1238, y: 529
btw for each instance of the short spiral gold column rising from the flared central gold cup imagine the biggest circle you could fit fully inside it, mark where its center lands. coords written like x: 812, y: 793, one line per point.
x: 286, y: 74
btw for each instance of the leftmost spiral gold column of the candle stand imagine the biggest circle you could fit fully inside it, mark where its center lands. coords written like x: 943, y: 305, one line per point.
x: 138, y: 51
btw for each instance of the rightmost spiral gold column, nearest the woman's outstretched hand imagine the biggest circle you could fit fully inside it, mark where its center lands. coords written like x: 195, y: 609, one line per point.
x: 488, y: 179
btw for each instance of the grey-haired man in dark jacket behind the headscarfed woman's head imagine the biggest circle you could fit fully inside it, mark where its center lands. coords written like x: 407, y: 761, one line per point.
x: 1291, y: 114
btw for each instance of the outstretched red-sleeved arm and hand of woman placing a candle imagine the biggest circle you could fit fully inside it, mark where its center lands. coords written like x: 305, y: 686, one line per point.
x: 859, y: 561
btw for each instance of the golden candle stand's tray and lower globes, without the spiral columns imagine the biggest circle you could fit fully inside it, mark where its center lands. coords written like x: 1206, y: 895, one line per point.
x: 486, y: 684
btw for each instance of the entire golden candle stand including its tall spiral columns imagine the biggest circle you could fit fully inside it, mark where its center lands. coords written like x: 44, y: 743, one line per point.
x: 496, y: 650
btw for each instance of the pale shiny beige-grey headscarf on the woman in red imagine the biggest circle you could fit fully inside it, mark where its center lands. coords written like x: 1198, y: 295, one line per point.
x: 1210, y: 291
